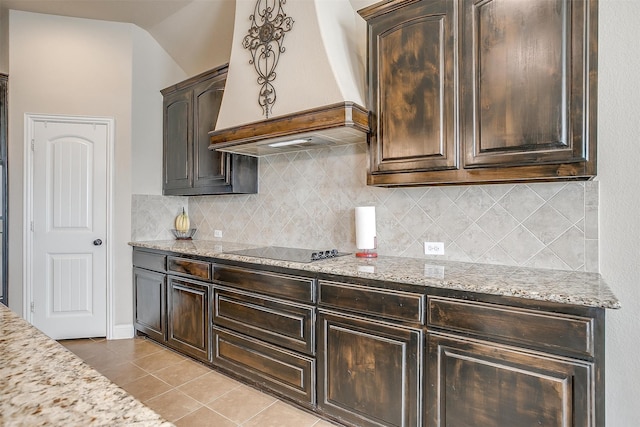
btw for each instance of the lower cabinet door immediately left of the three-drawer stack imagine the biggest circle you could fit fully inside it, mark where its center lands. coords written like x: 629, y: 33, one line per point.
x: 188, y: 317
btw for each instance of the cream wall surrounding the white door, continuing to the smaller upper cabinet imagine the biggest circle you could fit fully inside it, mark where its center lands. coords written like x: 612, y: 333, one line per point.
x: 72, y: 66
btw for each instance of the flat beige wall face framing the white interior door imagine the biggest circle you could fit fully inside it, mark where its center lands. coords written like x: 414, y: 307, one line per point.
x: 75, y: 67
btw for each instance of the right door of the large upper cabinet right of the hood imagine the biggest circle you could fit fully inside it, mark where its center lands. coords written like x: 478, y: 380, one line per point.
x: 524, y: 76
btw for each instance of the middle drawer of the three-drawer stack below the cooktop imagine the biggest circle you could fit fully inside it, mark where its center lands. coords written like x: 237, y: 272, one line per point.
x: 277, y: 322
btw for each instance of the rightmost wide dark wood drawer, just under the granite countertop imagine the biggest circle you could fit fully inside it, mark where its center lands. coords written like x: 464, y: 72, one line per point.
x: 549, y: 331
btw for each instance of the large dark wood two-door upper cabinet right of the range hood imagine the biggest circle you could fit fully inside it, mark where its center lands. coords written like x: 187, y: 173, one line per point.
x: 481, y: 91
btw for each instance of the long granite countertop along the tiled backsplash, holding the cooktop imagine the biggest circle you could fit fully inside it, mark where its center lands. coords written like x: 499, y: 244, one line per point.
x: 560, y: 286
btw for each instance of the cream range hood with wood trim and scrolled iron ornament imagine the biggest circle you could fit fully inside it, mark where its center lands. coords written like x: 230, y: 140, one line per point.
x: 316, y: 97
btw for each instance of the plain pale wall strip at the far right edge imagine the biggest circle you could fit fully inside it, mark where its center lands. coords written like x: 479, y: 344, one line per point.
x: 618, y: 157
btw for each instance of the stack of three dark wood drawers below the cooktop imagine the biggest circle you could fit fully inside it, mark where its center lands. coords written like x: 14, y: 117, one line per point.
x: 264, y: 329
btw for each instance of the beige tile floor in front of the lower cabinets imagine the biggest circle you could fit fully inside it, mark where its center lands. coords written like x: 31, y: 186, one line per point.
x: 183, y: 391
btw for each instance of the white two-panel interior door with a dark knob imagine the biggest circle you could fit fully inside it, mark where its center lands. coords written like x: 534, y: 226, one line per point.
x: 69, y: 228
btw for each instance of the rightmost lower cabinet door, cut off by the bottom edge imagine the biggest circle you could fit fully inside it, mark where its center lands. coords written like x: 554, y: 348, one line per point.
x: 471, y: 383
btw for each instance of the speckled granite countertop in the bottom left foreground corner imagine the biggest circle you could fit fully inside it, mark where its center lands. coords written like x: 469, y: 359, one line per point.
x: 44, y: 384
